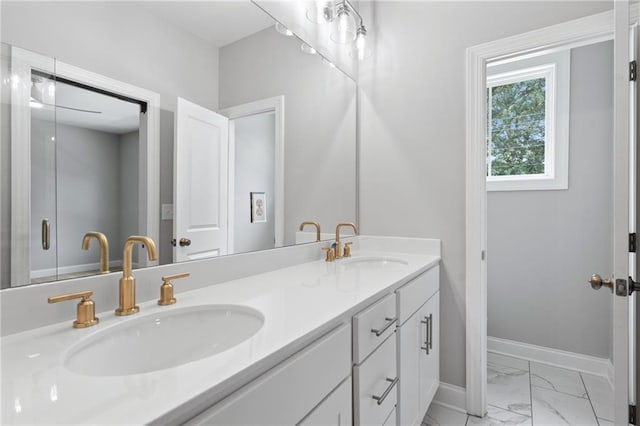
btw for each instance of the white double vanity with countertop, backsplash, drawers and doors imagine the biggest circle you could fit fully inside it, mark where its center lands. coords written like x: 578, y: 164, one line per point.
x: 284, y: 338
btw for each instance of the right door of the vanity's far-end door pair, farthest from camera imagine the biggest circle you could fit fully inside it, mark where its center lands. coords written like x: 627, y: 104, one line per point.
x: 430, y: 362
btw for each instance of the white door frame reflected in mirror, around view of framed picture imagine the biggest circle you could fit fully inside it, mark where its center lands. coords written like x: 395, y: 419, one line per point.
x: 275, y: 105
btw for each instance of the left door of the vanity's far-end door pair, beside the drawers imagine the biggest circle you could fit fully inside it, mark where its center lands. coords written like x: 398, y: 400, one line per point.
x: 411, y: 336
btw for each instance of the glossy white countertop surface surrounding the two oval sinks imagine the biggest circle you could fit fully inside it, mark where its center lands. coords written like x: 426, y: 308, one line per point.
x: 299, y: 303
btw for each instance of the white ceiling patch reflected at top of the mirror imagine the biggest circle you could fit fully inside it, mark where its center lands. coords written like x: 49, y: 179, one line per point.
x: 217, y: 22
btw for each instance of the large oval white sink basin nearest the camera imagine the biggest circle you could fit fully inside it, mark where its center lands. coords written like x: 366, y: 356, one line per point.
x: 168, y: 339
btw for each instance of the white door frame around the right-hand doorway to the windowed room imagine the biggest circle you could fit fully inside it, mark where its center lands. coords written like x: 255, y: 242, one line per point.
x: 572, y: 34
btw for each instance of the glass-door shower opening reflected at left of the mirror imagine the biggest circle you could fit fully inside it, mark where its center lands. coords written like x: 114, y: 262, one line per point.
x: 85, y: 153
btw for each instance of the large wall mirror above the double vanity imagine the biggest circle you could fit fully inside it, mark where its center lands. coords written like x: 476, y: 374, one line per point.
x: 291, y: 117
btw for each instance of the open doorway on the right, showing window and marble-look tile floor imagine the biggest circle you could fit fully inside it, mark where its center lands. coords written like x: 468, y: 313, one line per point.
x: 549, y: 335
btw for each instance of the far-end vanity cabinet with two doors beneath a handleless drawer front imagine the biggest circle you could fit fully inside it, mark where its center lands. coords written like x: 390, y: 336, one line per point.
x: 418, y: 348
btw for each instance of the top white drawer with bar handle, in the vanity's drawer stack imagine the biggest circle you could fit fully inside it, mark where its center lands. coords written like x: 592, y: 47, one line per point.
x: 372, y: 326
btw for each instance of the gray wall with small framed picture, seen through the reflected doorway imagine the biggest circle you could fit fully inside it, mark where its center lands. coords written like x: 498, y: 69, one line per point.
x: 254, y: 172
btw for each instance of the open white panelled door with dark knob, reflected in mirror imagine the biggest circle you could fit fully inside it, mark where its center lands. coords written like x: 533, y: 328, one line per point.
x: 201, y: 182
